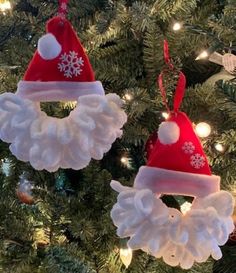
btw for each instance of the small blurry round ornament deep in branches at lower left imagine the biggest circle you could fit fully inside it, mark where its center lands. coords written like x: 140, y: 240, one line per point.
x: 24, y: 191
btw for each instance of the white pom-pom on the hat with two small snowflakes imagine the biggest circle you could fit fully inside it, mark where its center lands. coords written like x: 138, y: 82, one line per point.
x: 168, y: 132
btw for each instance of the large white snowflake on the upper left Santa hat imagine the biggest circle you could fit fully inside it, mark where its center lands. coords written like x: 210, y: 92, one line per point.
x: 71, y: 64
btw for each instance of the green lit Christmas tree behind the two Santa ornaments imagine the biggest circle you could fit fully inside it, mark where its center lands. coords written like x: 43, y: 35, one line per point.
x: 60, y: 221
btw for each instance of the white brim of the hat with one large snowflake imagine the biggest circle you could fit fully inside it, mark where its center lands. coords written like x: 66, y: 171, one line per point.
x: 58, y: 91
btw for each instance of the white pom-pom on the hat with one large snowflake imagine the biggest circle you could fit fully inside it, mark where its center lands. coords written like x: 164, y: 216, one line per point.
x: 48, y: 47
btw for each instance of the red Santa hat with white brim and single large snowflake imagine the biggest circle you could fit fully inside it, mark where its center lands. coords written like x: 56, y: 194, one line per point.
x: 60, y: 68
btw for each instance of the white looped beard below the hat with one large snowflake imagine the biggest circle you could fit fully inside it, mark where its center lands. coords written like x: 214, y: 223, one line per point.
x: 50, y: 143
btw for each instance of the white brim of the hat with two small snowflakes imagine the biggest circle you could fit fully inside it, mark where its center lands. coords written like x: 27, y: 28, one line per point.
x: 162, y: 181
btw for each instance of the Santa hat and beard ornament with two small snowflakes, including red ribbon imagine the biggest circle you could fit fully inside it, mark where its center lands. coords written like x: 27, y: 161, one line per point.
x: 177, y: 165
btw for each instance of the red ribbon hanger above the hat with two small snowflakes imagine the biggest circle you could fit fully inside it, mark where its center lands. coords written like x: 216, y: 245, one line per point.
x: 180, y: 88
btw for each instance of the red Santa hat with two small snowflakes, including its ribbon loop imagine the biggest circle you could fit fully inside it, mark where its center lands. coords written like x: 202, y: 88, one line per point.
x: 177, y: 164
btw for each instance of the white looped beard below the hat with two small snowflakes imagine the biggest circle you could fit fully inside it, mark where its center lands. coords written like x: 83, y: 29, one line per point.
x: 181, y: 239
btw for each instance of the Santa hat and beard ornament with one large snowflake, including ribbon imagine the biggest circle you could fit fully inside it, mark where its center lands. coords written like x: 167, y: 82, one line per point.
x: 60, y: 71
